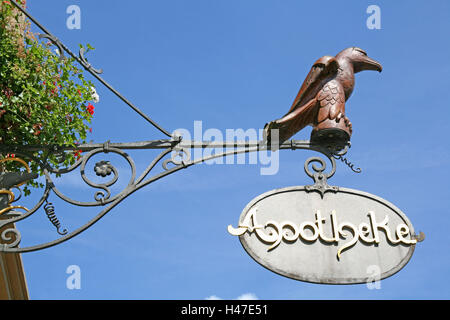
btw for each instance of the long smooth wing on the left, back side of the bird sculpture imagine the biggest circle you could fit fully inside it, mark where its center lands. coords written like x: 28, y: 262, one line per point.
x: 323, y: 68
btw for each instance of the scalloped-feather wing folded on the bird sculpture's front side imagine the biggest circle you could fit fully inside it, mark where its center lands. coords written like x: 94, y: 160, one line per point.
x: 332, y: 101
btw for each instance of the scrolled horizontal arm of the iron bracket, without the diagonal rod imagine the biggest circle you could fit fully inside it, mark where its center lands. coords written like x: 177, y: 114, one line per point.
x: 175, y: 155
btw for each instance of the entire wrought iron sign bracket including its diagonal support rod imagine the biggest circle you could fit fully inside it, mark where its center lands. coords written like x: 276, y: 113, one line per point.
x: 173, y: 145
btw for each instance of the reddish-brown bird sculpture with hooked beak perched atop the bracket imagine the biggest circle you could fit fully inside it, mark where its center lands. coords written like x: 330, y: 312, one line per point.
x: 321, y: 100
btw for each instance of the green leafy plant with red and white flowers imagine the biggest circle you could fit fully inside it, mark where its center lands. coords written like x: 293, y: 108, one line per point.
x: 44, y: 100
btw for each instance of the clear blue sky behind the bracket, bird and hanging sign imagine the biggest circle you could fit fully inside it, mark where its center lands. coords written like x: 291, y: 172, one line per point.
x: 239, y: 64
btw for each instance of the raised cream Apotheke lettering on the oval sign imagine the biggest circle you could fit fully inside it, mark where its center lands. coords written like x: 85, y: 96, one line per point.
x: 310, y: 231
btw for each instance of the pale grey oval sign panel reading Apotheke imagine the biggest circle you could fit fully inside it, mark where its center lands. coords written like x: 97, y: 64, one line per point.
x: 346, y: 237
